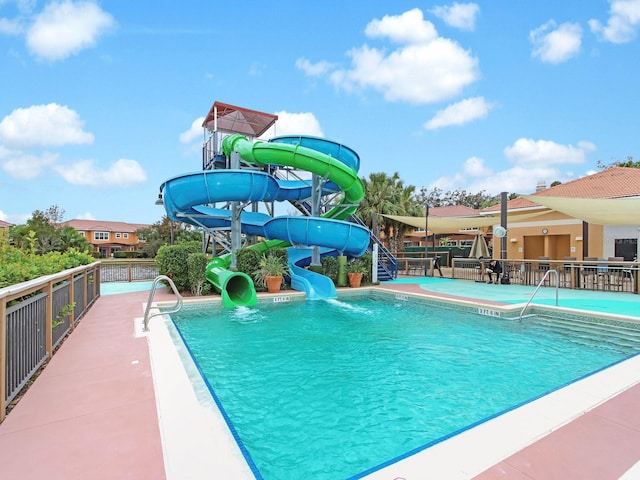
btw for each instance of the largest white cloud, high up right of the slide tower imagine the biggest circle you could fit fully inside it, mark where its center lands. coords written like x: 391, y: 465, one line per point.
x: 425, y: 68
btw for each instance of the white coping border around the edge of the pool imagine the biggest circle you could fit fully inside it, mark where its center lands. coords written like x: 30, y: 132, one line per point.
x: 443, y: 458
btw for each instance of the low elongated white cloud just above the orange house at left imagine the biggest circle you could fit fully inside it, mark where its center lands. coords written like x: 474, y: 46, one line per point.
x: 122, y: 173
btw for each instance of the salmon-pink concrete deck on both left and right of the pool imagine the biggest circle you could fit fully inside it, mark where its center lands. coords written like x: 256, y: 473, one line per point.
x: 92, y: 414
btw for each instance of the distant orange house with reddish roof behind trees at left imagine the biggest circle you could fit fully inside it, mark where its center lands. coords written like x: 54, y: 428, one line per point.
x: 109, y: 237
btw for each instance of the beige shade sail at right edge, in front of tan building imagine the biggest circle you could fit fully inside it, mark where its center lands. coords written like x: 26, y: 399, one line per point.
x: 600, y: 211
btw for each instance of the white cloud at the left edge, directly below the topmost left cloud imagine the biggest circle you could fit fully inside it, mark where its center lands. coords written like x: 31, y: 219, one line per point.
x: 43, y: 125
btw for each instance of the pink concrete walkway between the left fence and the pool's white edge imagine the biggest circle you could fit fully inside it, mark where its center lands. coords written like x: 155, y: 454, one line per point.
x: 91, y: 414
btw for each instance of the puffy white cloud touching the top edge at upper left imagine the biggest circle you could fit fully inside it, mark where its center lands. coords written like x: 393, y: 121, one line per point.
x: 65, y: 28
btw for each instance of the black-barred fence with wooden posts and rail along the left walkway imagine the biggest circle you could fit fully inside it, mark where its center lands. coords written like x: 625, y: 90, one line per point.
x: 35, y: 317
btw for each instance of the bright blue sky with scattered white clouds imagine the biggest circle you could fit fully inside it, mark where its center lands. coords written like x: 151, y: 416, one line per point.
x: 101, y: 102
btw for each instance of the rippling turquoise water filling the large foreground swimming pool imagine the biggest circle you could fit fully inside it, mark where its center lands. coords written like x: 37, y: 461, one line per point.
x: 332, y: 390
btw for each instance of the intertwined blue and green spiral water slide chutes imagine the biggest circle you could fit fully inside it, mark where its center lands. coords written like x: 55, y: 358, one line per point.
x: 188, y: 198
